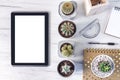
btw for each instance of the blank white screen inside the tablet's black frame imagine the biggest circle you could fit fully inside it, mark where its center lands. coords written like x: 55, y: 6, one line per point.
x: 29, y: 39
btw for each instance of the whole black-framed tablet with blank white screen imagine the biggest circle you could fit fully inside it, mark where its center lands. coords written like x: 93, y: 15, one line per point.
x: 29, y: 38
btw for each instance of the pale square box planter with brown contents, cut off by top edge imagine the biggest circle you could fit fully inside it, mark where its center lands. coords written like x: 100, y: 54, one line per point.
x: 93, y: 7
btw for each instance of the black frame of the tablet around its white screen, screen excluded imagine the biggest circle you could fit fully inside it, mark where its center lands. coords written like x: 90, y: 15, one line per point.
x: 13, y: 14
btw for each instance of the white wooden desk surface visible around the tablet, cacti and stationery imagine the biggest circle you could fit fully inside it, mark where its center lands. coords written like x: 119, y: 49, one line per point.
x: 9, y: 72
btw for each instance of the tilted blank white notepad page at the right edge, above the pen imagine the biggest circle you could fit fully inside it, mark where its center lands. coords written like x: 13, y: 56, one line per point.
x: 113, y: 27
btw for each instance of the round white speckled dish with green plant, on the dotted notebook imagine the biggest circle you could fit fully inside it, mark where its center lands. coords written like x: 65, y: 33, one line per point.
x: 102, y: 66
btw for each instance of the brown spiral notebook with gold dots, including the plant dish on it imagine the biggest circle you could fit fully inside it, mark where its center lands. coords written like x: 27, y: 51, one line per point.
x: 101, y: 64
